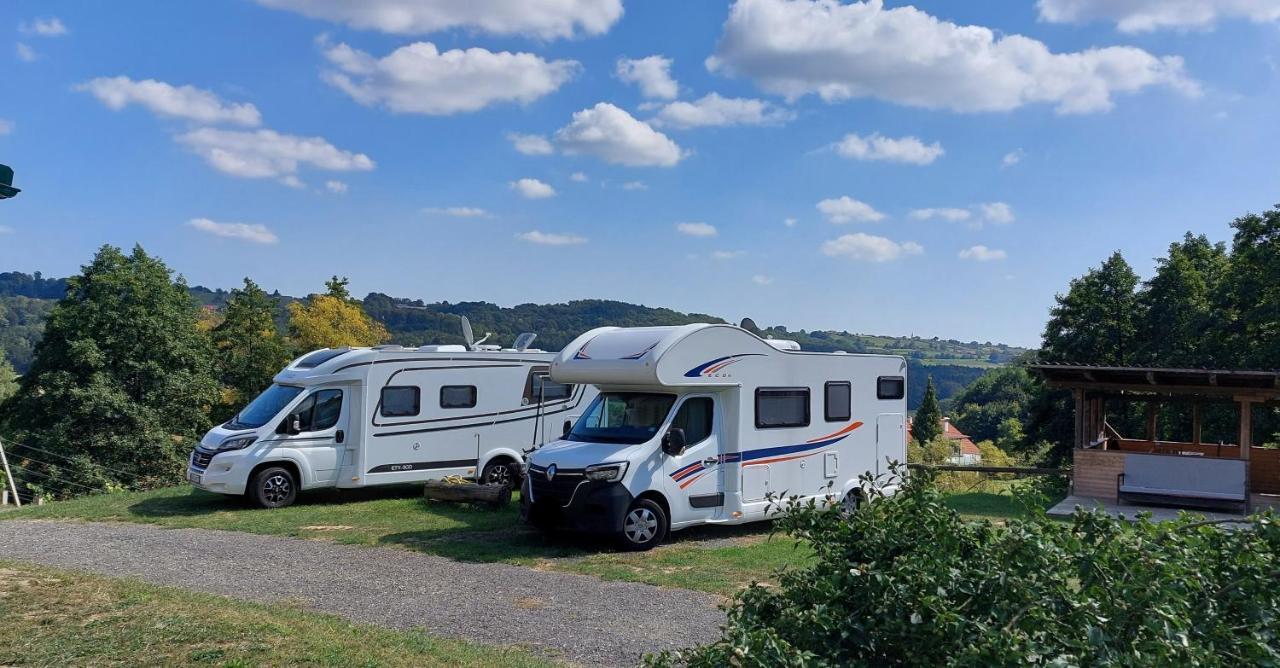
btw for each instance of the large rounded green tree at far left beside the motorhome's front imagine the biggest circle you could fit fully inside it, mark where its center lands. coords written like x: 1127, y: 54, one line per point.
x: 122, y: 383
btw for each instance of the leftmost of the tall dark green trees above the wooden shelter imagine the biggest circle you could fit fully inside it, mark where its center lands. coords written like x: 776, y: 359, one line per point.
x: 1096, y: 322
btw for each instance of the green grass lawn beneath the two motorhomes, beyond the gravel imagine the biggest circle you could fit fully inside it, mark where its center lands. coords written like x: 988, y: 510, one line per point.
x: 717, y: 560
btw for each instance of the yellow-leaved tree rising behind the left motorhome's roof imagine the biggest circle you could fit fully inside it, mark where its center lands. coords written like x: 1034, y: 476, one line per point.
x: 333, y: 321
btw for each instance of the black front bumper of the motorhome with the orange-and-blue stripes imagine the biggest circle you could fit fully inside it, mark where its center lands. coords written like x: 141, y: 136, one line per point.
x: 583, y: 506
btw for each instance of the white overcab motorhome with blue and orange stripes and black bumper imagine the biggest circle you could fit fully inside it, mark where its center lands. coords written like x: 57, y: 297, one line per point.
x: 700, y: 424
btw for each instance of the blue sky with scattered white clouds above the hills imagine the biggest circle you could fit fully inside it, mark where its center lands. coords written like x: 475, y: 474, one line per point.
x: 931, y: 168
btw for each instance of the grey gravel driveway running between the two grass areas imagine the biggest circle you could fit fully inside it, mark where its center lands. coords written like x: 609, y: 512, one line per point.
x: 572, y: 617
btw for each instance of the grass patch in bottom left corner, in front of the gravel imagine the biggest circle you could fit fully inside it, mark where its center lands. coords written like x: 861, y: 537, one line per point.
x: 54, y: 617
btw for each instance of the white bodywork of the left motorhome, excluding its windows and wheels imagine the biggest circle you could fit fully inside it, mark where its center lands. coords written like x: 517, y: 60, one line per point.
x: 365, y: 447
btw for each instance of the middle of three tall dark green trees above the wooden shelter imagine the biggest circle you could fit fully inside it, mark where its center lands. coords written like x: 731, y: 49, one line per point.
x: 1177, y: 306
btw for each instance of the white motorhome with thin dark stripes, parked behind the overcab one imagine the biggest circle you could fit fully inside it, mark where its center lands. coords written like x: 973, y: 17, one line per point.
x: 354, y: 418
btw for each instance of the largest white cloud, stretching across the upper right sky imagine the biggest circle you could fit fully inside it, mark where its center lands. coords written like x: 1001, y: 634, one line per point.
x: 904, y: 56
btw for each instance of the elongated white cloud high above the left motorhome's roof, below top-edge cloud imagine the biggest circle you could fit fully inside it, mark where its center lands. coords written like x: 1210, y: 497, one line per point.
x: 420, y: 80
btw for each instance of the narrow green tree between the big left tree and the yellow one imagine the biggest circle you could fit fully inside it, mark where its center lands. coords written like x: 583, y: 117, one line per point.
x: 250, y: 350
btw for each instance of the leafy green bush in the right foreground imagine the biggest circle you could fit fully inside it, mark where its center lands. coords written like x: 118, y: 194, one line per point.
x: 906, y: 582
